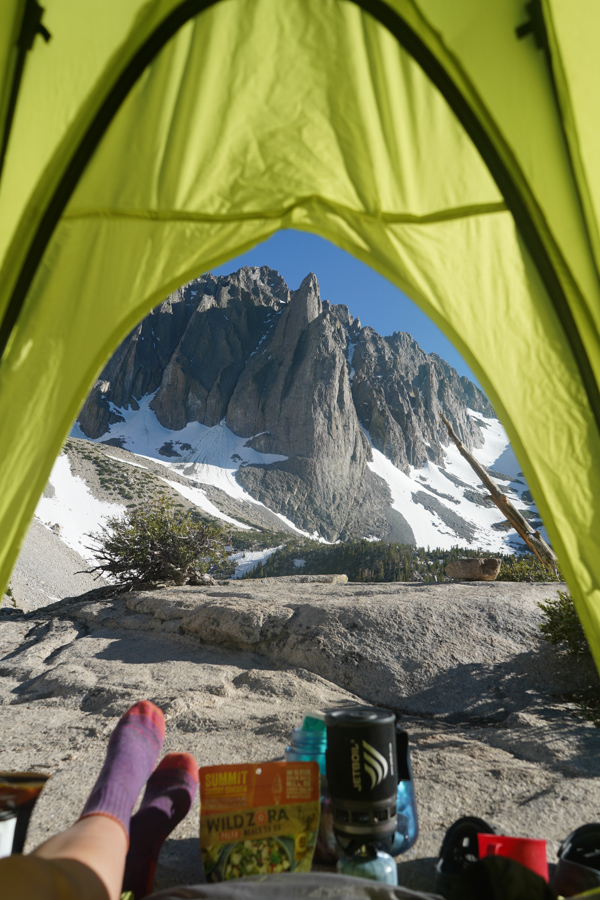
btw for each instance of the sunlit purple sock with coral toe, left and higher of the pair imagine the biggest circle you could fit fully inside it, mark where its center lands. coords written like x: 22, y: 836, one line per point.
x: 132, y: 752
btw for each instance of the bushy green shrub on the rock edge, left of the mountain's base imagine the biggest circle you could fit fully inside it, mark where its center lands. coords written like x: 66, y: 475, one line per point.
x: 157, y: 542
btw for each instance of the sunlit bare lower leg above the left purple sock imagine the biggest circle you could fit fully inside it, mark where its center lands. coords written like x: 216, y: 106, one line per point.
x: 100, y: 843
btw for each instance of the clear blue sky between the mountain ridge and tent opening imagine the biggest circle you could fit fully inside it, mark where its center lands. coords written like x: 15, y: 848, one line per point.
x: 343, y: 279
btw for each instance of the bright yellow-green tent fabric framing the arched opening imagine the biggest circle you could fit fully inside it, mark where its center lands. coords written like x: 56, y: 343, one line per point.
x: 453, y: 147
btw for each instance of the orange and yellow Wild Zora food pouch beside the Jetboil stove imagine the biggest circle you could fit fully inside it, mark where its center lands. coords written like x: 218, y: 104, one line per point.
x: 258, y: 818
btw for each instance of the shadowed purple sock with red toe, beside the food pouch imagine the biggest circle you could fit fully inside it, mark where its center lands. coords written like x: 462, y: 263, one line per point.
x: 169, y: 794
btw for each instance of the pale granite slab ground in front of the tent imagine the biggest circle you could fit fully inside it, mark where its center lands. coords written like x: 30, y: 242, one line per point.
x: 234, y: 667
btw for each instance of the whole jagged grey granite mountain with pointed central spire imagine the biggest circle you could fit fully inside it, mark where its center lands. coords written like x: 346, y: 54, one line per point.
x: 298, y: 378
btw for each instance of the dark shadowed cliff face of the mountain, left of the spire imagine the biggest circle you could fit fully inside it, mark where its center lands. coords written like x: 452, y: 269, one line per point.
x: 189, y: 351
